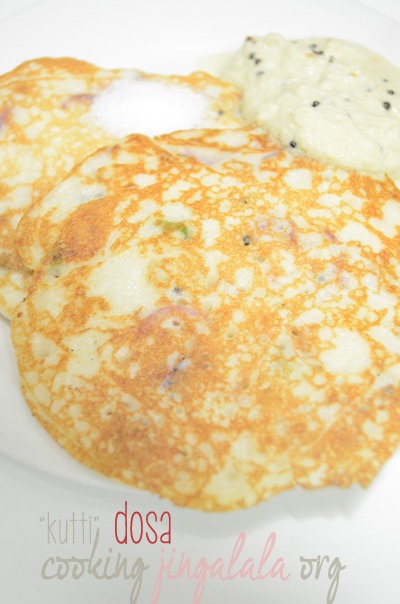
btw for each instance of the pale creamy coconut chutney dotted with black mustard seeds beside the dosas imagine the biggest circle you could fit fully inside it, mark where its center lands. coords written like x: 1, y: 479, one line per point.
x: 331, y: 99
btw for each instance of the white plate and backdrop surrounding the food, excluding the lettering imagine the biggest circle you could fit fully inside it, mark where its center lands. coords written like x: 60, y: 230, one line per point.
x: 362, y: 528
